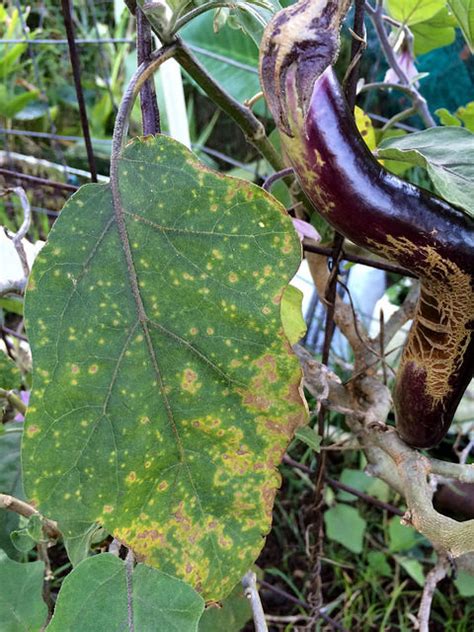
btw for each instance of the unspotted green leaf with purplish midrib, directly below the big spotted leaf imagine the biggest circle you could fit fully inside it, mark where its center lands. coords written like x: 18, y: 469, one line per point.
x: 94, y: 596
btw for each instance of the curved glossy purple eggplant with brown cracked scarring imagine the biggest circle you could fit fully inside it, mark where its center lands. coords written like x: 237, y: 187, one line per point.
x: 380, y: 212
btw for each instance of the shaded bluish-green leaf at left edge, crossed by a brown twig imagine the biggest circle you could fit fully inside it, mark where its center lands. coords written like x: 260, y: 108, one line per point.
x: 10, y: 483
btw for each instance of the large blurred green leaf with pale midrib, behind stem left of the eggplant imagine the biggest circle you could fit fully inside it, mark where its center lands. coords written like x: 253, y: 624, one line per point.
x: 229, y: 57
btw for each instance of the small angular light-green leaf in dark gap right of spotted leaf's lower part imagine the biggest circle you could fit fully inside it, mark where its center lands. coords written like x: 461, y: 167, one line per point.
x: 345, y: 525
